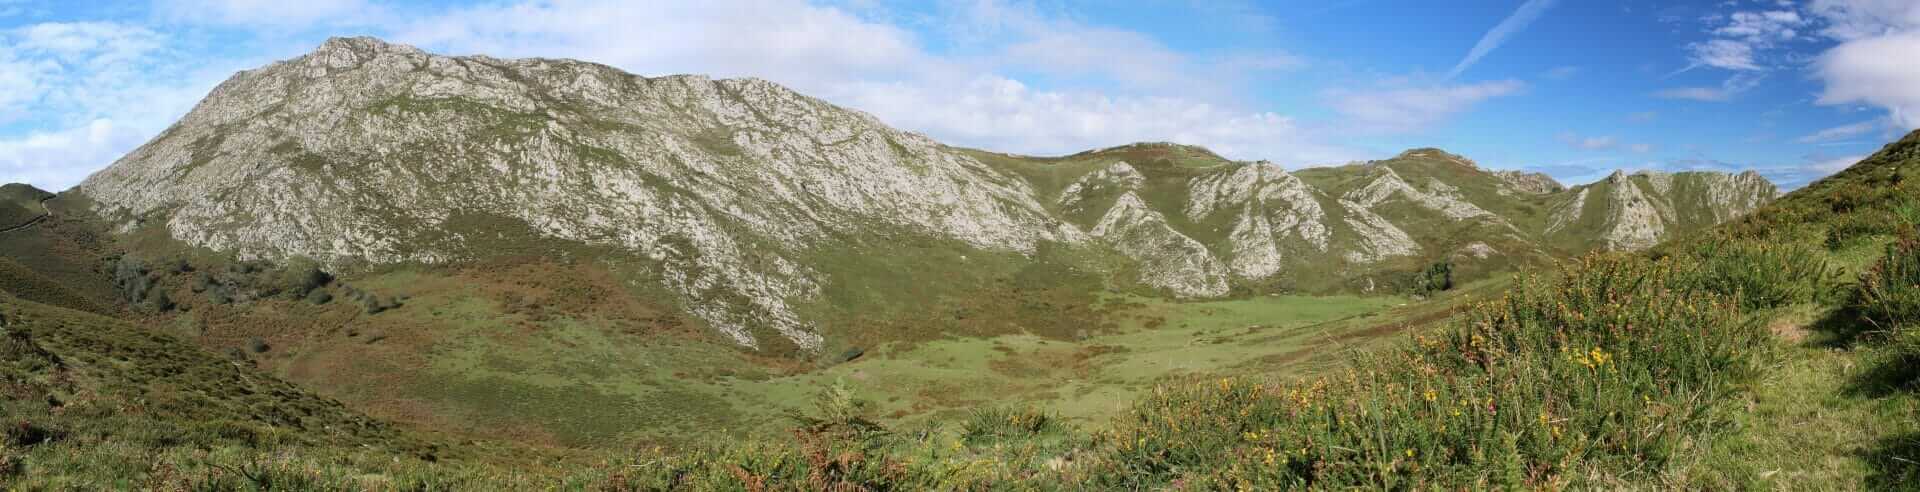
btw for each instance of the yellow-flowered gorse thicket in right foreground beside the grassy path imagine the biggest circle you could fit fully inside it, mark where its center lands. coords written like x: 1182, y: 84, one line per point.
x: 1608, y: 374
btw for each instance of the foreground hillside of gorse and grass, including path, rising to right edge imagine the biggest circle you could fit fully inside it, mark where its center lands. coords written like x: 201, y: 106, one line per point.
x: 1723, y: 360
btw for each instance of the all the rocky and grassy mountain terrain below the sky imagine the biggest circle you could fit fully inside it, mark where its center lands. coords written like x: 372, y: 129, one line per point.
x: 554, y: 268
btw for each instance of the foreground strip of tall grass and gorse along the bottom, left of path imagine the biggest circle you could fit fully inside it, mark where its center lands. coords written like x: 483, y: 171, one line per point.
x: 1612, y: 372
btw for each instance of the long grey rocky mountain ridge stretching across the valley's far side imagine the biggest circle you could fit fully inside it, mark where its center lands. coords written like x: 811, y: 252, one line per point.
x: 769, y: 216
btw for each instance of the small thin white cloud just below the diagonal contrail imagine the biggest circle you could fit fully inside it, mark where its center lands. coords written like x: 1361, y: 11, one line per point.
x: 1399, y: 111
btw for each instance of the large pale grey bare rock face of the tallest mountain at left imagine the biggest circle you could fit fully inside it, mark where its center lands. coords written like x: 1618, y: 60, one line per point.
x: 379, y: 153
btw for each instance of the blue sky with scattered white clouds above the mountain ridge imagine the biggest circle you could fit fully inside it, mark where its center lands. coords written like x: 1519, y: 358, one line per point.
x: 1794, y: 89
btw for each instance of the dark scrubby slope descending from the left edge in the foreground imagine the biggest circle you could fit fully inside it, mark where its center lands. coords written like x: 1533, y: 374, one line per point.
x: 91, y: 401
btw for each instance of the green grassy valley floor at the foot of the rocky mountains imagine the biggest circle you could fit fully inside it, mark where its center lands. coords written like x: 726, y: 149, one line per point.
x: 452, y: 360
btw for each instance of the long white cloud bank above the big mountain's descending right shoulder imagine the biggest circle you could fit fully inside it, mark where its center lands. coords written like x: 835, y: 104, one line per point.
x: 882, y: 70
